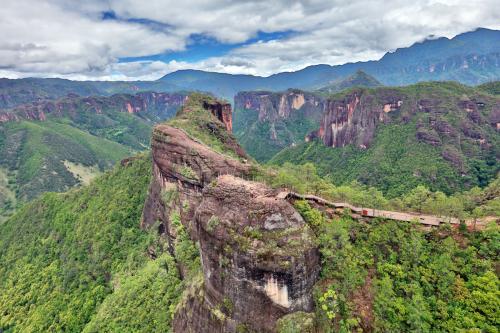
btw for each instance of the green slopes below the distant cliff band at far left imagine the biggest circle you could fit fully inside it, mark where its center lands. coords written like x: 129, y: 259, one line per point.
x: 34, y: 152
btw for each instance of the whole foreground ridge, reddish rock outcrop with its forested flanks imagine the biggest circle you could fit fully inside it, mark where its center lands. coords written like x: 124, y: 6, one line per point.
x: 79, y: 261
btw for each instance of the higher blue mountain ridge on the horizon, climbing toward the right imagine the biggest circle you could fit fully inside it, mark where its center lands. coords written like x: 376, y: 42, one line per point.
x: 470, y: 58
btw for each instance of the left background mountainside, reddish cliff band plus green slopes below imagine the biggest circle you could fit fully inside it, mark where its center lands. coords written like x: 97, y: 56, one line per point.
x: 51, y: 145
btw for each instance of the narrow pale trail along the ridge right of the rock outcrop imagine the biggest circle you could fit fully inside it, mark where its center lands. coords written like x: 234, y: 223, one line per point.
x: 430, y: 220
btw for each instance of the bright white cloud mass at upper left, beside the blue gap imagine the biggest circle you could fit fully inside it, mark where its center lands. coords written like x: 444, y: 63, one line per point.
x: 41, y: 37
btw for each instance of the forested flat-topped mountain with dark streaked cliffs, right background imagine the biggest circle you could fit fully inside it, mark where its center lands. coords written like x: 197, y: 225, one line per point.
x: 443, y: 135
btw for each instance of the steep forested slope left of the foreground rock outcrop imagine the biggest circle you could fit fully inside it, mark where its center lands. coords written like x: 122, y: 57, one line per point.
x: 64, y: 255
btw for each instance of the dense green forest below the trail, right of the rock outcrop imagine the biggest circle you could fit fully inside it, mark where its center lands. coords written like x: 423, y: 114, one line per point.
x: 394, y: 277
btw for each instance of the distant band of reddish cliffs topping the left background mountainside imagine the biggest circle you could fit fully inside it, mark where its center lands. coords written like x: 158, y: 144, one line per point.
x: 161, y: 105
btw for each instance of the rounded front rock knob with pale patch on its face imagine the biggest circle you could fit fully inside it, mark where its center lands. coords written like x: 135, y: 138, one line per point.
x: 259, y: 260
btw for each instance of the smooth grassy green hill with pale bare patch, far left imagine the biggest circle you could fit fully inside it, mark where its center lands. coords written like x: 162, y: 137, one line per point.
x: 34, y: 153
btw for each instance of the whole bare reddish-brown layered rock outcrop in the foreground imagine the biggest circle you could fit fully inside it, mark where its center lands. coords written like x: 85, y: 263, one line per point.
x: 259, y: 261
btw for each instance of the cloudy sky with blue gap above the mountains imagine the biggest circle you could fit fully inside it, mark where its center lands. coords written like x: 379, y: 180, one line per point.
x: 144, y: 40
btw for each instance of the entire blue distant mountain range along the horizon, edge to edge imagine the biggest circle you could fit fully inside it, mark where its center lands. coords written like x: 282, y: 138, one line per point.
x: 470, y: 58
